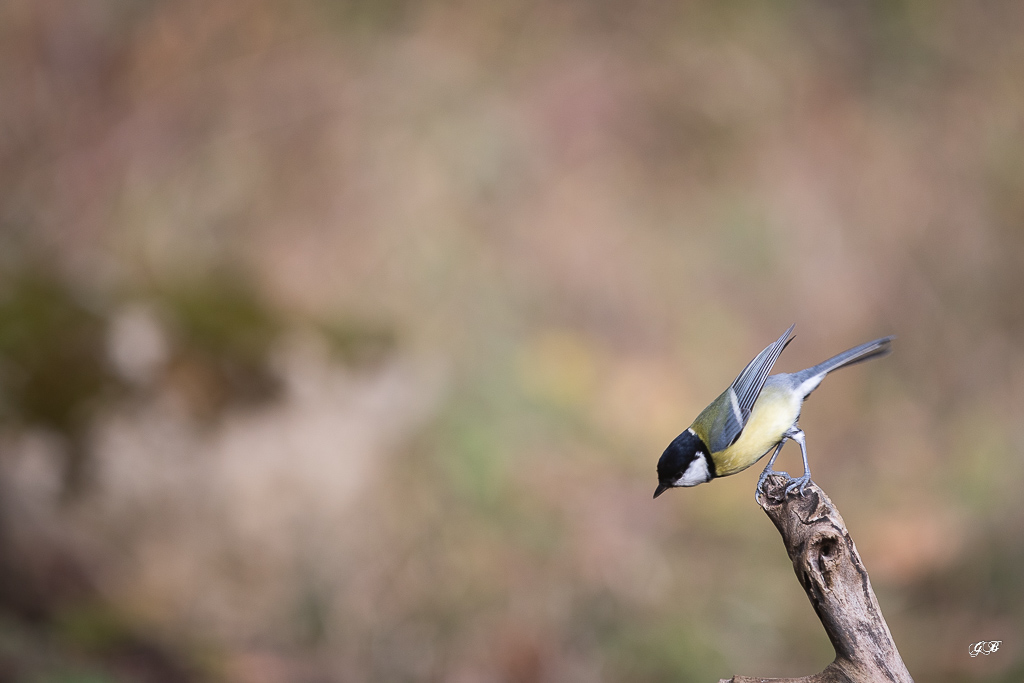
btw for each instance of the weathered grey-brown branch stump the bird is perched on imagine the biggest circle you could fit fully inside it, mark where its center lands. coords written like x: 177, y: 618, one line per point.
x: 830, y: 569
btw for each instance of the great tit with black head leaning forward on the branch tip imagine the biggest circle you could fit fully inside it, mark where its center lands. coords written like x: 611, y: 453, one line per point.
x: 756, y: 414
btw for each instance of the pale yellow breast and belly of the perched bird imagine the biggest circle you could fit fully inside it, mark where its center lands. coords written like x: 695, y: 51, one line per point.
x: 775, y: 412
